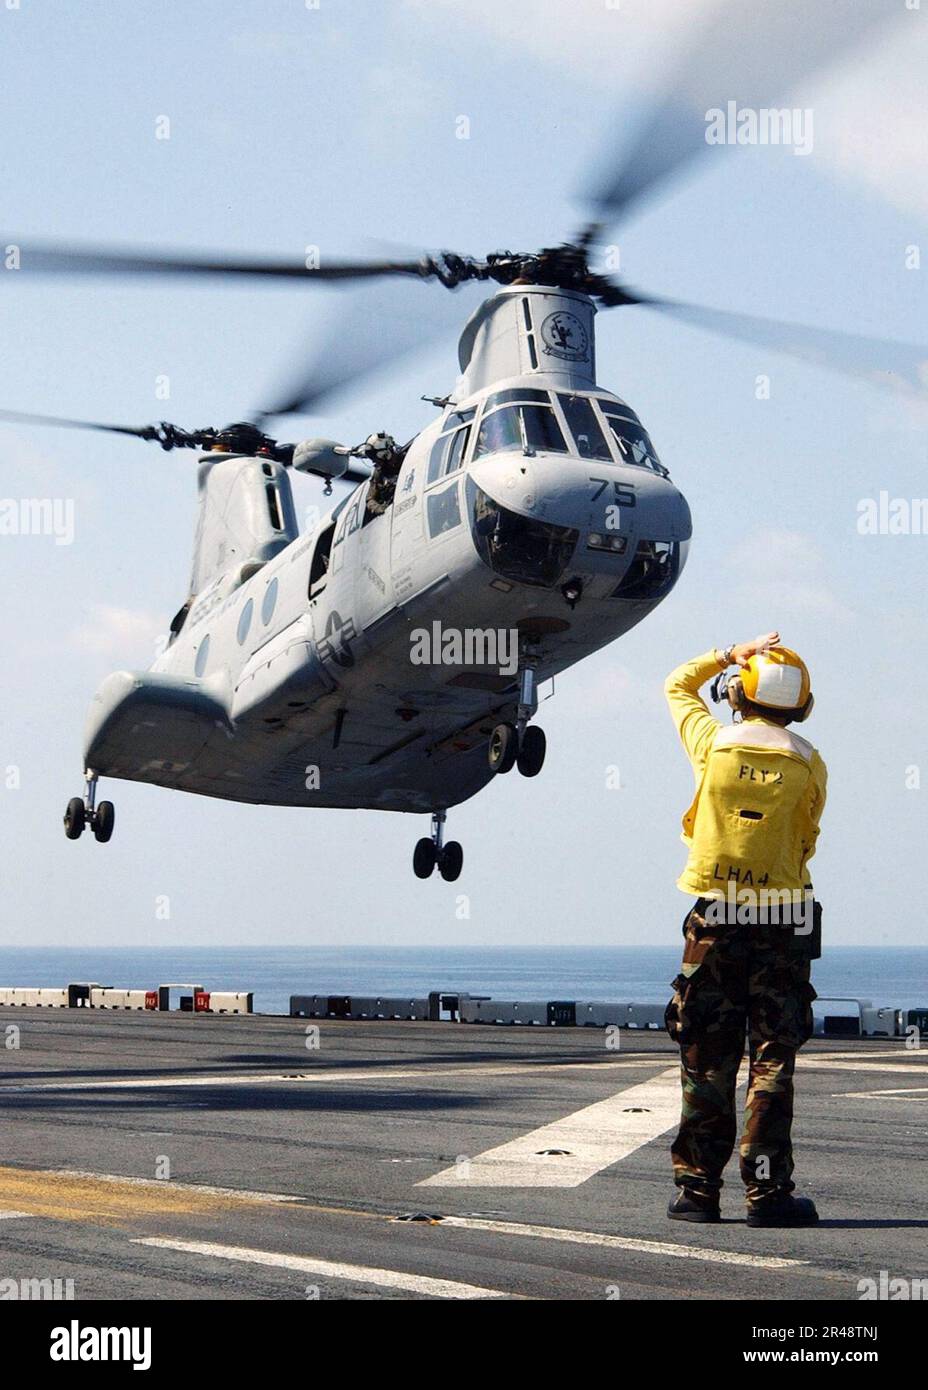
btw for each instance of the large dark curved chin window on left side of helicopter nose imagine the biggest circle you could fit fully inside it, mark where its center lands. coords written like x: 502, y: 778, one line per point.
x: 516, y: 547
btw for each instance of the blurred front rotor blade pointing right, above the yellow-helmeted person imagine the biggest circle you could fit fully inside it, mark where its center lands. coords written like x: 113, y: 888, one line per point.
x: 883, y: 362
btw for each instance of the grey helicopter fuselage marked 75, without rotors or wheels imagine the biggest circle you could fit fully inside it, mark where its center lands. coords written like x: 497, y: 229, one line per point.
x: 534, y: 508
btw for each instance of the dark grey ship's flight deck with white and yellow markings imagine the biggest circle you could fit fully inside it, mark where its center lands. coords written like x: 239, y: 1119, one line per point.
x: 169, y: 1156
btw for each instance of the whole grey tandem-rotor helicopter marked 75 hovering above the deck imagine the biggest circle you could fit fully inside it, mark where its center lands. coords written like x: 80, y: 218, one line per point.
x: 536, y: 505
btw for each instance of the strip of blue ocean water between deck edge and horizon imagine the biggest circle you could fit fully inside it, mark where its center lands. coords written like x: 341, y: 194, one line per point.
x: 640, y: 975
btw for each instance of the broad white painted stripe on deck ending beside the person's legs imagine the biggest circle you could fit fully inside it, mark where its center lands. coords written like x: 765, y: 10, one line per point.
x: 594, y: 1139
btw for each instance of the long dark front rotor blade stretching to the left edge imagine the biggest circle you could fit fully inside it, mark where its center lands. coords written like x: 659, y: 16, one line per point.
x: 48, y: 259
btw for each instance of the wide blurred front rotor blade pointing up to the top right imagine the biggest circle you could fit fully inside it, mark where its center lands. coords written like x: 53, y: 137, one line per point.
x: 745, y: 58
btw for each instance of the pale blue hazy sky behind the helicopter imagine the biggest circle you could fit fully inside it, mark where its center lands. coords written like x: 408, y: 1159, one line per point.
x: 338, y: 126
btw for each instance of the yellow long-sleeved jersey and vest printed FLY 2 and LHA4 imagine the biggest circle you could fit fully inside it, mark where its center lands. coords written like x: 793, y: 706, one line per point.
x: 761, y: 792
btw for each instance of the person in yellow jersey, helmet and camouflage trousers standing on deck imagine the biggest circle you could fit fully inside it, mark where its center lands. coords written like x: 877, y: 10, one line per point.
x: 754, y: 929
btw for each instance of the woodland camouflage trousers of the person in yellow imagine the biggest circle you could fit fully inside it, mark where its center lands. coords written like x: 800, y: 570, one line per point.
x: 738, y: 982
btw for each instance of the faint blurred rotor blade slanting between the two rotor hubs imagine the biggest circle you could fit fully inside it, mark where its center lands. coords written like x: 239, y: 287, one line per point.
x: 366, y: 333
